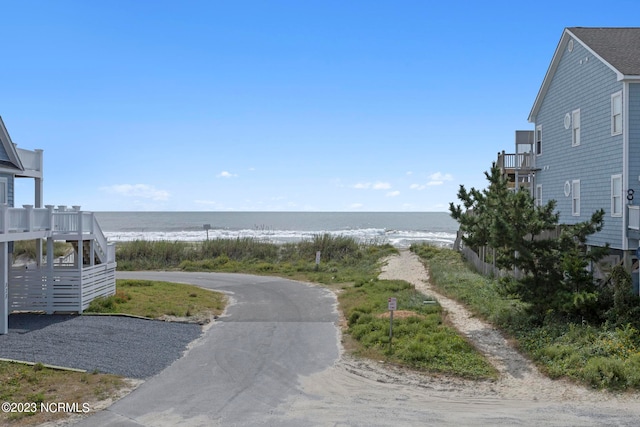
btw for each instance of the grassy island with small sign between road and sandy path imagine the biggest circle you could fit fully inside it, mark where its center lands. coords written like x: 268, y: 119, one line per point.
x: 421, y: 339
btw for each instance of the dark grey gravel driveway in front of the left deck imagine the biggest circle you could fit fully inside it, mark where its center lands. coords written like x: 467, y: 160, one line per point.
x: 130, y: 347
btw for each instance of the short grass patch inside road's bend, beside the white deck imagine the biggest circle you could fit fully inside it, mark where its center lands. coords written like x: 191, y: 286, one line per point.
x: 156, y: 299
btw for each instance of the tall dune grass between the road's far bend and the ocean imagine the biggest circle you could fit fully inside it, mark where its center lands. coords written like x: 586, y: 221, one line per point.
x: 342, y: 258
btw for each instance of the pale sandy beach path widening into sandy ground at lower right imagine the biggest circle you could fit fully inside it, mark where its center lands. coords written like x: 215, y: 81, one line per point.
x: 358, y: 392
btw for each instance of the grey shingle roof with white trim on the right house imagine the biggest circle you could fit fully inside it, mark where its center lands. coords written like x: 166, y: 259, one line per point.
x: 618, y: 48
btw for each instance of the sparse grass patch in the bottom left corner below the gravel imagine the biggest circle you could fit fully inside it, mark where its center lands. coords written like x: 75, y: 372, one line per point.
x: 36, y: 385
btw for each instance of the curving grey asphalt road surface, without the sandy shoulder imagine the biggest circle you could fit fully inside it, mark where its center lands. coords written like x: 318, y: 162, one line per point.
x: 246, y: 365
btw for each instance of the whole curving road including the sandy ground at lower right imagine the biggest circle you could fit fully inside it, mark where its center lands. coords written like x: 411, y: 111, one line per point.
x: 274, y: 359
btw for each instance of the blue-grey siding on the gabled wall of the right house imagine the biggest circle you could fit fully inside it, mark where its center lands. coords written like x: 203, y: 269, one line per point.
x: 581, y: 82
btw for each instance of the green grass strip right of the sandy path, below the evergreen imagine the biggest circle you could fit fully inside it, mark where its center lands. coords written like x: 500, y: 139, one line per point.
x: 603, y: 357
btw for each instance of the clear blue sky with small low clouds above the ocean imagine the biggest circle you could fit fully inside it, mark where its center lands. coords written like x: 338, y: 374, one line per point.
x: 271, y: 105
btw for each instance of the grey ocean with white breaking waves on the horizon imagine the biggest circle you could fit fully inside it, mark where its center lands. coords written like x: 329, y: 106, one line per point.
x: 400, y: 229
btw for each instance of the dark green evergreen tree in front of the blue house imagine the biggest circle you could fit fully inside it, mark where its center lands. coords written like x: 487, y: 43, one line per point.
x: 553, y: 270
